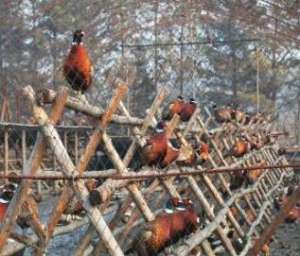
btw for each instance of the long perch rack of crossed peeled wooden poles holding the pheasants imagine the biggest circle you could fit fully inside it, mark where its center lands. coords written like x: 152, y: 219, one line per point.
x: 115, y: 239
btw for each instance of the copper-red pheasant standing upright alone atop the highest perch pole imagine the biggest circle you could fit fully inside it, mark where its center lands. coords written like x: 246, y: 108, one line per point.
x: 78, y: 66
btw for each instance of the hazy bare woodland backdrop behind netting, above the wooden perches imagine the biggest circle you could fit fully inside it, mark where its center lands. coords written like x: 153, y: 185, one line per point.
x: 212, y: 50
